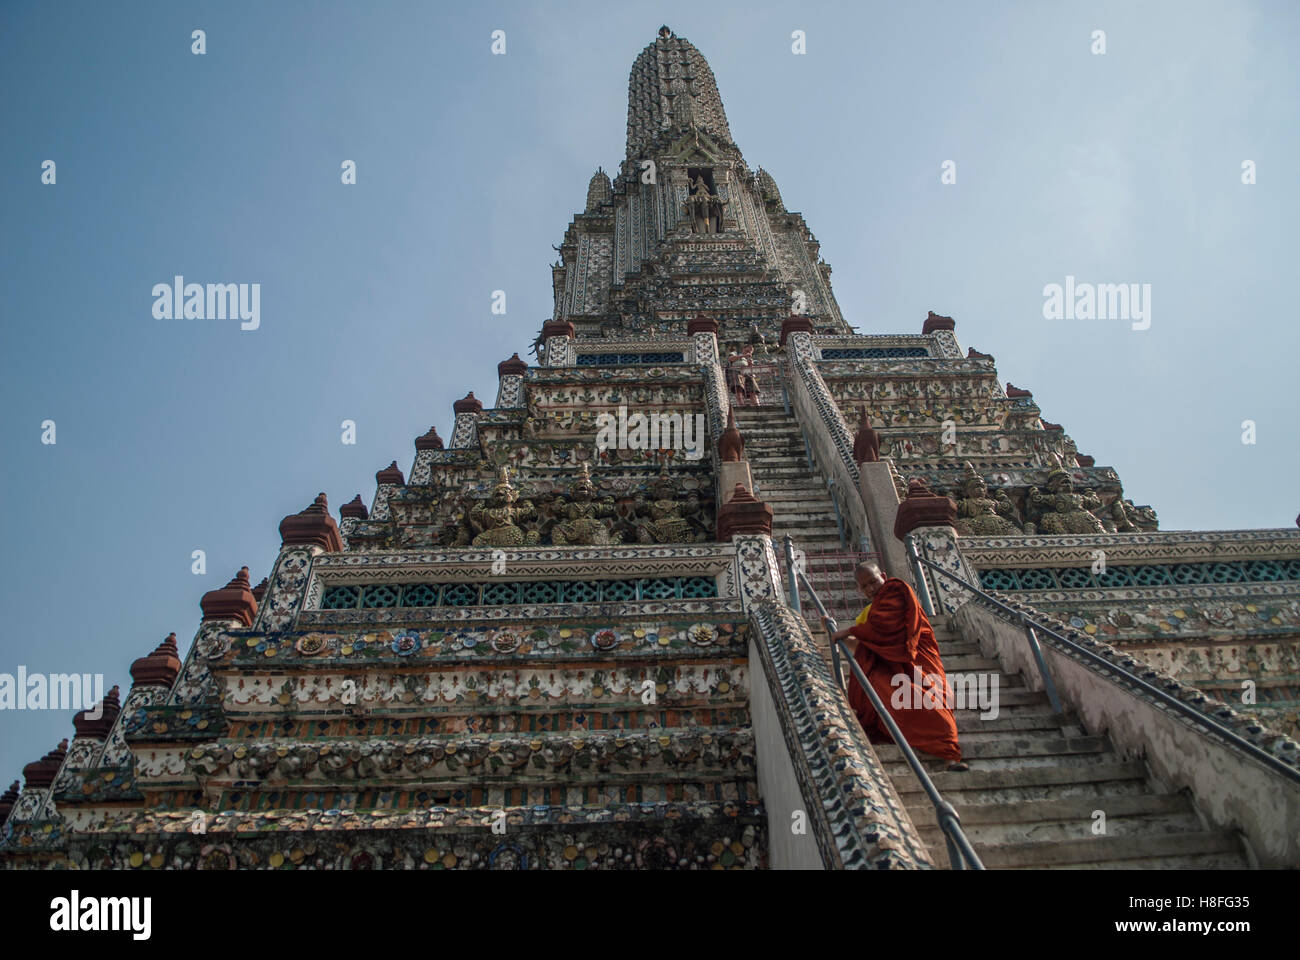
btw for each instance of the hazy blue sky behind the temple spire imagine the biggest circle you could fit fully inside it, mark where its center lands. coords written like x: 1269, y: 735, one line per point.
x: 183, y: 435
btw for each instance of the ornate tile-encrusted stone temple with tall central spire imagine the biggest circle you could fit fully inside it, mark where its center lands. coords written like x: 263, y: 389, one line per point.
x: 541, y: 650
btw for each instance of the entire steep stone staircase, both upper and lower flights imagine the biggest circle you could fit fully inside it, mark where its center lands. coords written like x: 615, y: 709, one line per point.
x: 1037, y: 779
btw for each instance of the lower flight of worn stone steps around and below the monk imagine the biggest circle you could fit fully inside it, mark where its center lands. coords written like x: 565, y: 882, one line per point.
x: 1038, y: 780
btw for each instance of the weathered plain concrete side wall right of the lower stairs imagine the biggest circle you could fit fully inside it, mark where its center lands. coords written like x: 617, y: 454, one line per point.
x: 1233, y: 790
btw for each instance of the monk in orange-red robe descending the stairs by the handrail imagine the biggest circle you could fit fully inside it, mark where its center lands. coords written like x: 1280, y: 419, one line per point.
x: 894, y: 645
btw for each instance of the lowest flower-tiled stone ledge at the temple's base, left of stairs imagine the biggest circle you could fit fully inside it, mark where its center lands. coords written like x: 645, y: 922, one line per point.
x: 632, y: 837
